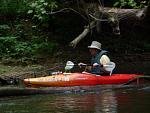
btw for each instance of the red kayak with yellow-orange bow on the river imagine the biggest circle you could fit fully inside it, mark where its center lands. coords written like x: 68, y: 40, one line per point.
x: 79, y: 79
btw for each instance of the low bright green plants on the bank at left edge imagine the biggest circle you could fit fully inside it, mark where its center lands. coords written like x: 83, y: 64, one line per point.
x: 10, y: 47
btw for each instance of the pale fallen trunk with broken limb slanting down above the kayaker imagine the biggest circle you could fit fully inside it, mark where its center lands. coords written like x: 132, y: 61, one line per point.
x: 113, y: 17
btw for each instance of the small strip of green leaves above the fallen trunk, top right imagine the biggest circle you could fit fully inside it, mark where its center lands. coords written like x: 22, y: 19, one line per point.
x: 129, y: 3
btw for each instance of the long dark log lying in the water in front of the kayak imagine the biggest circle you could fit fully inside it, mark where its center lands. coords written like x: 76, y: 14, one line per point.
x: 25, y: 91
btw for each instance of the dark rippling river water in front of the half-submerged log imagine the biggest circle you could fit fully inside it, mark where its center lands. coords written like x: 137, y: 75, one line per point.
x: 129, y: 100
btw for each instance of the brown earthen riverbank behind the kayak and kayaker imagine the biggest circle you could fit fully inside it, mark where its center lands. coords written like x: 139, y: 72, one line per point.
x: 127, y: 63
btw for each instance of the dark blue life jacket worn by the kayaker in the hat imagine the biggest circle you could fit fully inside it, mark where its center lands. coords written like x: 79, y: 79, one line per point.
x: 96, y: 59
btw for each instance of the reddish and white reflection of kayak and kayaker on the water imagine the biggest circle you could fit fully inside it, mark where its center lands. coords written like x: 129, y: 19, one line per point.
x: 96, y: 103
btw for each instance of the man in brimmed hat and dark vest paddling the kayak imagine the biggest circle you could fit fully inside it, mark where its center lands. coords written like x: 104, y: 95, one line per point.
x: 98, y: 60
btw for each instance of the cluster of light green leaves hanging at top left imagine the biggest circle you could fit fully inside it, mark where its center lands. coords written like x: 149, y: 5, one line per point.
x: 39, y: 9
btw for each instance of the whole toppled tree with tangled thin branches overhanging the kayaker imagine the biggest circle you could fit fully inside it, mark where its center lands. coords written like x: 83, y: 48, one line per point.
x: 94, y: 13
